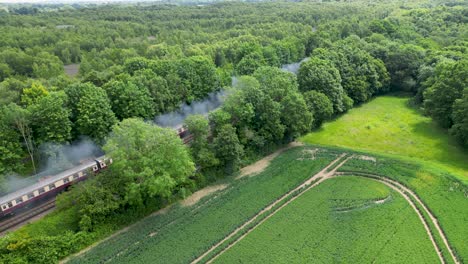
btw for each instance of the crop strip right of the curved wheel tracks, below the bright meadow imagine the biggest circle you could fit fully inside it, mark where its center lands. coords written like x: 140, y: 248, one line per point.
x: 445, y: 195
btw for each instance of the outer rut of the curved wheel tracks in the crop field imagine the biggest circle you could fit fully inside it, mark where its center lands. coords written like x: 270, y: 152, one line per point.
x: 408, y: 191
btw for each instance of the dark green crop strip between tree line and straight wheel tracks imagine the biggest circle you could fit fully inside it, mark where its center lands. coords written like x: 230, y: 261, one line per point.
x: 183, y: 233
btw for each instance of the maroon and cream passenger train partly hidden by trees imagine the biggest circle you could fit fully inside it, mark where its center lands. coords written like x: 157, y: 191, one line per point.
x: 51, y: 186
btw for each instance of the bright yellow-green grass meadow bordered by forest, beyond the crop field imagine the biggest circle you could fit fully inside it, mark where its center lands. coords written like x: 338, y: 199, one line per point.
x: 388, y: 125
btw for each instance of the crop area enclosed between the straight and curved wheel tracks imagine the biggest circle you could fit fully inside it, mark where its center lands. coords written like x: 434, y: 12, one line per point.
x: 339, y: 221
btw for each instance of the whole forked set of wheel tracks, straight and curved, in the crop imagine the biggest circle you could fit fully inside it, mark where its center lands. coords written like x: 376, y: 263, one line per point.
x: 327, y: 173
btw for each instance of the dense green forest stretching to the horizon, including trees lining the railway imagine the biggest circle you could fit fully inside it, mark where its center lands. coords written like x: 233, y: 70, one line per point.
x: 140, y: 61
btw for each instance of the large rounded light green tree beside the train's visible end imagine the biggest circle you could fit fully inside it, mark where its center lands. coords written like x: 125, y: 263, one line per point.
x: 149, y: 161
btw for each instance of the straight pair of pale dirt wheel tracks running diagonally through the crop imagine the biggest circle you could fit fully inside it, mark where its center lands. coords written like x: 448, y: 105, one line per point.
x: 317, y: 179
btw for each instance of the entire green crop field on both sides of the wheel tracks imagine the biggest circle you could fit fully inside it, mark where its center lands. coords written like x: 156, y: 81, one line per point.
x: 338, y: 221
